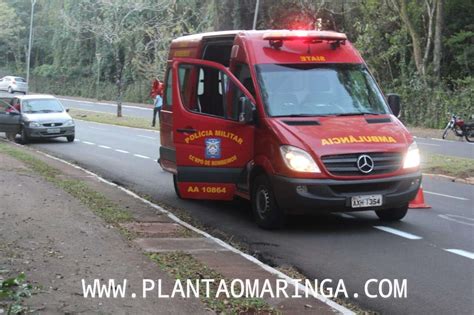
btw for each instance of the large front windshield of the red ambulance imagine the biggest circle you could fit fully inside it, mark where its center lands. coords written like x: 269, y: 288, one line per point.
x: 319, y: 90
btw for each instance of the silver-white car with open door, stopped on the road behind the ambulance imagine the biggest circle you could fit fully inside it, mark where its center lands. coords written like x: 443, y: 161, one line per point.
x: 35, y: 116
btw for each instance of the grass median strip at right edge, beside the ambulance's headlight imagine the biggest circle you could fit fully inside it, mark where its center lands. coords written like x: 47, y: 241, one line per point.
x: 448, y: 165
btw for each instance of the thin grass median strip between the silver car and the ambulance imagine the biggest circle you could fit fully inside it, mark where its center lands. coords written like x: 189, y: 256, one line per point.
x: 112, y: 119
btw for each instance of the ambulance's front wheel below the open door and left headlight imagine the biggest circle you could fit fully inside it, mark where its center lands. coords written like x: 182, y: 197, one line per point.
x: 266, y: 212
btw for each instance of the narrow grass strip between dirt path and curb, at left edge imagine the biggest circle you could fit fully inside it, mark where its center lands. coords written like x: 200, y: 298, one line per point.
x: 94, y: 200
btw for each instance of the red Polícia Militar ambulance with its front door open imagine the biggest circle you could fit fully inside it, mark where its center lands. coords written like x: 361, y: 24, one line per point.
x: 291, y: 120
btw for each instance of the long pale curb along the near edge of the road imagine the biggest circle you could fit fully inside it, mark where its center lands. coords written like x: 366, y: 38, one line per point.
x: 271, y: 270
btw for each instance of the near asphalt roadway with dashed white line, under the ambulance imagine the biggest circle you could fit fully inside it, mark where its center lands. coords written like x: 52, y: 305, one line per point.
x: 433, y: 249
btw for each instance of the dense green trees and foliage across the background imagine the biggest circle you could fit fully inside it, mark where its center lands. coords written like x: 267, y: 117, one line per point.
x: 421, y: 49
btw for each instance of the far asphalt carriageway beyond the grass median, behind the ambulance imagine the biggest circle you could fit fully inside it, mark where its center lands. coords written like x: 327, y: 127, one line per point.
x: 426, y: 145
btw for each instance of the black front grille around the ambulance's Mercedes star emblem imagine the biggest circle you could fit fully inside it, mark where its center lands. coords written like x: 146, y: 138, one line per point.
x: 346, y: 164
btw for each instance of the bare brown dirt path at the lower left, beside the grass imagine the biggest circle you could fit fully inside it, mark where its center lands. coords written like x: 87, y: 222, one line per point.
x: 56, y: 241
